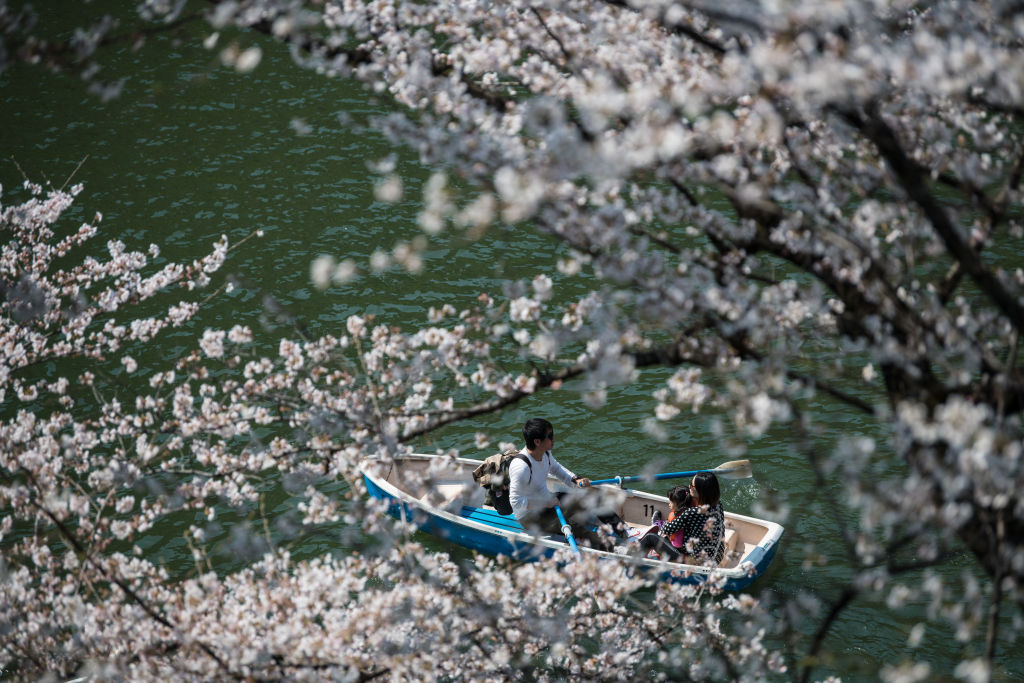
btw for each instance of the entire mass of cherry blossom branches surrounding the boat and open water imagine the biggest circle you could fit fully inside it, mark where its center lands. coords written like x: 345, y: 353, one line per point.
x: 785, y: 203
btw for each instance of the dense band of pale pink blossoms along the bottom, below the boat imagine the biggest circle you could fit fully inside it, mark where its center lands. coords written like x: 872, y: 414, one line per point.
x: 407, y: 616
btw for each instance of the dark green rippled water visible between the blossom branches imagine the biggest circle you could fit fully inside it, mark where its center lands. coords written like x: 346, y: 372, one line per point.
x: 192, y: 151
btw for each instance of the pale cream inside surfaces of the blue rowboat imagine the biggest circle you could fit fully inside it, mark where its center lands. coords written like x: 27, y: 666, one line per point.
x: 449, y: 486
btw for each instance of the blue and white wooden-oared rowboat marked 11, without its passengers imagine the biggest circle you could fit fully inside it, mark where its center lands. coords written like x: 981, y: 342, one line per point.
x: 439, y: 495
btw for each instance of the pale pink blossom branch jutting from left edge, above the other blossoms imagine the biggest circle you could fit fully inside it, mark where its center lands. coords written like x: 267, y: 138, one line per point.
x: 72, y: 313
